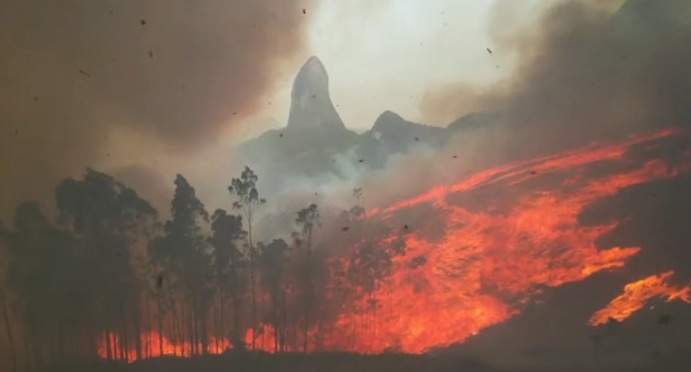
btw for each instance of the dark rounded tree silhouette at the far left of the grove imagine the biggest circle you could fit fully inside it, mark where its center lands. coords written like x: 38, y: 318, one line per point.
x: 43, y: 272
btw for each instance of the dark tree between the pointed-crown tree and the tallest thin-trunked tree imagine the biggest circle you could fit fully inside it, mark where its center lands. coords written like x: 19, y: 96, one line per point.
x: 226, y: 231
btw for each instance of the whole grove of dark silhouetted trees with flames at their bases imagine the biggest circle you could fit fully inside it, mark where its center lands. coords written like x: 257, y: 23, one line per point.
x: 108, y: 279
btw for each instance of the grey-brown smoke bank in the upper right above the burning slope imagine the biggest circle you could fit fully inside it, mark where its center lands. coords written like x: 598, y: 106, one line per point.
x: 585, y: 72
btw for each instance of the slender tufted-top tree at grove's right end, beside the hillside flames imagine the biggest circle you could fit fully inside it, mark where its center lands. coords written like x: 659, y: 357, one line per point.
x: 307, y: 219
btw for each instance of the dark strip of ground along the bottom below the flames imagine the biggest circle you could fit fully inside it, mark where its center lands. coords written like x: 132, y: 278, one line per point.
x: 341, y: 362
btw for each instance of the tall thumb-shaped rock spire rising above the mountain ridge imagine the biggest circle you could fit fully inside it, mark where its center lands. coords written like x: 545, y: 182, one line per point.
x: 311, y: 105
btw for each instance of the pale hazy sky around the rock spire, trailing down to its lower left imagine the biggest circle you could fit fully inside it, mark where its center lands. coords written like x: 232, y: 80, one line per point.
x: 388, y: 56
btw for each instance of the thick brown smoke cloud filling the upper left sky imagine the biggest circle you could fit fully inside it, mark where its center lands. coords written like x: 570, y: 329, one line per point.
x: 154, y: 75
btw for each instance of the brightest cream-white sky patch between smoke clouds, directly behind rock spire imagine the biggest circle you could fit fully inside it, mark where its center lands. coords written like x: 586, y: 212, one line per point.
x: 388, y: 55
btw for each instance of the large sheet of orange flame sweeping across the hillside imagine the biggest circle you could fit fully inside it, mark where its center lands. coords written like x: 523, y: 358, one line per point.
x: 488, y: 262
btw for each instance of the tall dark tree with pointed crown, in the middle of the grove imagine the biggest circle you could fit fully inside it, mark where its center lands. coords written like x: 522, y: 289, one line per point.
x: 183, y: 254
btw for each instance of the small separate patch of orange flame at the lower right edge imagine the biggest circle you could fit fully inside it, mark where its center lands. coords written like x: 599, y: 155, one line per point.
x: 637, y: 294
